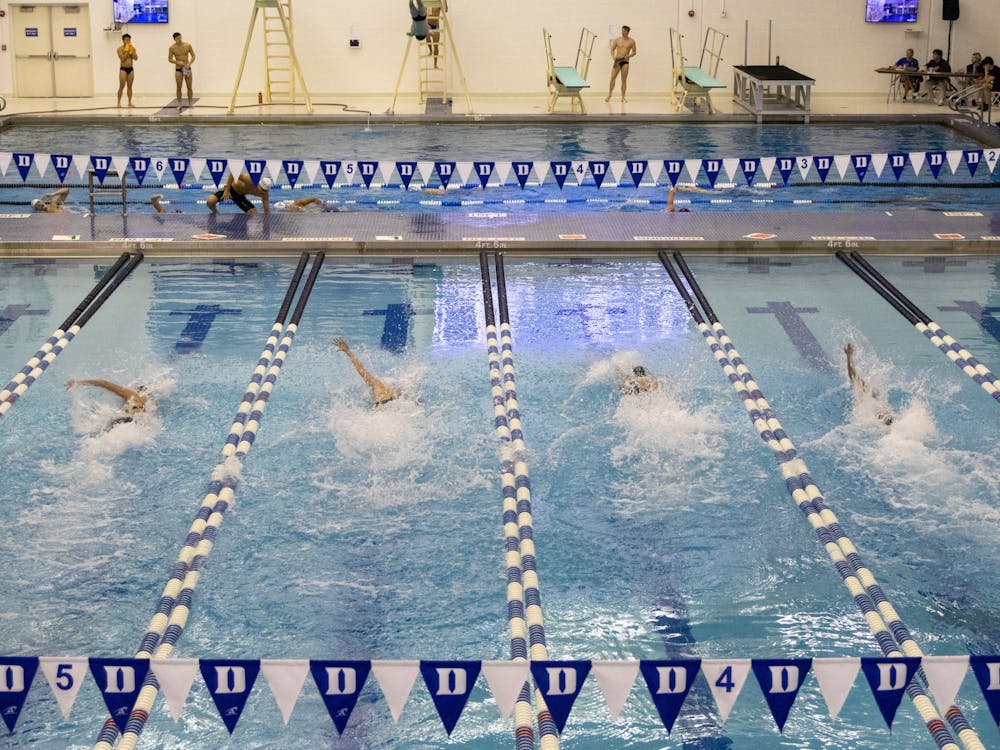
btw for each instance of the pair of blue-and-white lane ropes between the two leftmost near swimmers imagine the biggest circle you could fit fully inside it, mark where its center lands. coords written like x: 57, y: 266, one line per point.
x: 167, y: 624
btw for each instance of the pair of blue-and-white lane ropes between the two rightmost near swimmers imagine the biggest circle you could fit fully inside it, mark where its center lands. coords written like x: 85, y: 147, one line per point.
x: 890, y: 633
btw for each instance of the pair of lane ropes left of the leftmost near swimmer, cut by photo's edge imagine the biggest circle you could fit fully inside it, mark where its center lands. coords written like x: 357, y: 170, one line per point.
x: 62, y: 336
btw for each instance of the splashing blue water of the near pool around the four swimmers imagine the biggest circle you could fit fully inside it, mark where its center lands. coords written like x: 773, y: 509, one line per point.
x: 662, y: 524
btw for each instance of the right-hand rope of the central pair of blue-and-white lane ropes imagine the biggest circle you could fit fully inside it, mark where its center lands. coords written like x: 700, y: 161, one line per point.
x: 514, y: 465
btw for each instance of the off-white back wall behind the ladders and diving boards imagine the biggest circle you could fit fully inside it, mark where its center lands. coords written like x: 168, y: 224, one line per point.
x: 500, y: 44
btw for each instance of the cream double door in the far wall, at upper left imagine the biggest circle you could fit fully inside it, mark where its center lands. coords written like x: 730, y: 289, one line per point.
x: 52, y: 55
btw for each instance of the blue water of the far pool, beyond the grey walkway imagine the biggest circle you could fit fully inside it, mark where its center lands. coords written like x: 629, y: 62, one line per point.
x: 576, y: 144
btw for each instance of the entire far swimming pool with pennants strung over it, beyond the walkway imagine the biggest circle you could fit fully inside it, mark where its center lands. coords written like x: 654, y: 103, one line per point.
x: 565, y: 170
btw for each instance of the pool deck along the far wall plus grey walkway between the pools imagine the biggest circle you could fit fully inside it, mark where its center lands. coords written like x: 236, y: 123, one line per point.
x: 394, y: 233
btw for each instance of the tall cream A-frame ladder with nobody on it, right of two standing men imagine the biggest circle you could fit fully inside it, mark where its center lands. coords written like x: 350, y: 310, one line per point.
x: 281, y: 66
